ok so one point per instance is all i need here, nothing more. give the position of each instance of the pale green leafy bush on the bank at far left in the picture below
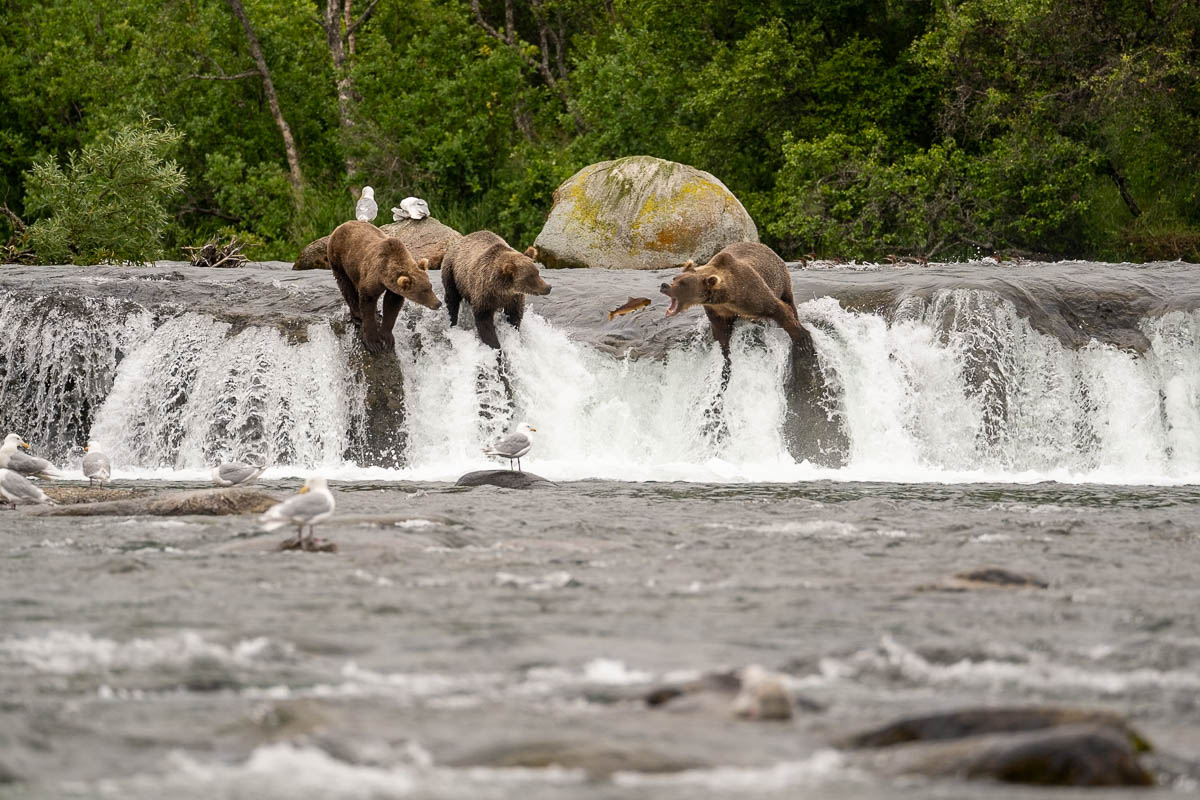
(110, 203)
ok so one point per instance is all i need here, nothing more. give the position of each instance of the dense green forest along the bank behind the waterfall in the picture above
(851, 129)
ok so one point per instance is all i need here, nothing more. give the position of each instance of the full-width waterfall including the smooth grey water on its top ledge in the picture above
(963, 372)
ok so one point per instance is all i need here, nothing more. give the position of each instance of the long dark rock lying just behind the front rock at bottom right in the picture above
(971, 723)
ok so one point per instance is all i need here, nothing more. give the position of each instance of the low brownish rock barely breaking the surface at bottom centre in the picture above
(598, 760)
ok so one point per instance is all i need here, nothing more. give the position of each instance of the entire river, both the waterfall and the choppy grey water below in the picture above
(1042, 419)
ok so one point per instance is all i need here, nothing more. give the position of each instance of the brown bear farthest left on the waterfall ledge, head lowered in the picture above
(367, 264)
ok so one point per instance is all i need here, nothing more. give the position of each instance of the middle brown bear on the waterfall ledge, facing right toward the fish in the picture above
(482, 269)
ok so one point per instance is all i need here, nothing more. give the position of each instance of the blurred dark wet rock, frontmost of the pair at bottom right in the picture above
(1083, 756)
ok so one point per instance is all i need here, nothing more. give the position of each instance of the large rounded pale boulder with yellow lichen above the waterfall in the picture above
(641, 213)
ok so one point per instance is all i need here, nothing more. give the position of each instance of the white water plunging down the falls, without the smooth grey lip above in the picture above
(945, 386)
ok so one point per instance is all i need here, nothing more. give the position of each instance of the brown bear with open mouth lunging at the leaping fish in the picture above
(746, 280)
